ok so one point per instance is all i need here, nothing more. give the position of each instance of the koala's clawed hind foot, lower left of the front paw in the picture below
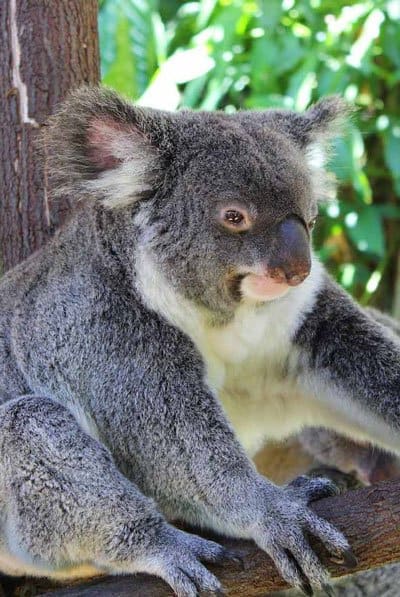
(176, 557)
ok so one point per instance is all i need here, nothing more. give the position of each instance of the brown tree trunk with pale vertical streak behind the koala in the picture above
(47, 48)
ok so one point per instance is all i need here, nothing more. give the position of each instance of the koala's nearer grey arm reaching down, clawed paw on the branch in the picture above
(173, 436)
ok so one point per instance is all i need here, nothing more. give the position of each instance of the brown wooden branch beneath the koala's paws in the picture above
(369, 517)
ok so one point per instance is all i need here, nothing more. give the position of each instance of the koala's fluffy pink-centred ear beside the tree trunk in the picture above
(99, 144)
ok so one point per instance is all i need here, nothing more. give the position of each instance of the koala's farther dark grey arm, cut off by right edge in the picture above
(351, 362)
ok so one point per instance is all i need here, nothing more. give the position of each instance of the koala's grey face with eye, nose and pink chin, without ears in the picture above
(235, 224)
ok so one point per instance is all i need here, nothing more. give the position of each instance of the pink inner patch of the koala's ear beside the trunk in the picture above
(107, 143)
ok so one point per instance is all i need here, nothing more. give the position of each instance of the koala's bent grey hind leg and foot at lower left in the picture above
(67, 511)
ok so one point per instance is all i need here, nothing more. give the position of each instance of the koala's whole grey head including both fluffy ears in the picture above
(223, 204)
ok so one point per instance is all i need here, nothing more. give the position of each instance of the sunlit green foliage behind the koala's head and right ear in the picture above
(231, 54)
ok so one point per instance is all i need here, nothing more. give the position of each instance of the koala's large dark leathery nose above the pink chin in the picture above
(291, 258)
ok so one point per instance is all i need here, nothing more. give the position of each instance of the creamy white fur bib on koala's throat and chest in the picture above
(248, 361)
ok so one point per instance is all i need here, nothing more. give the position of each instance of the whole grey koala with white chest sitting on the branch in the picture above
(176, 322)
